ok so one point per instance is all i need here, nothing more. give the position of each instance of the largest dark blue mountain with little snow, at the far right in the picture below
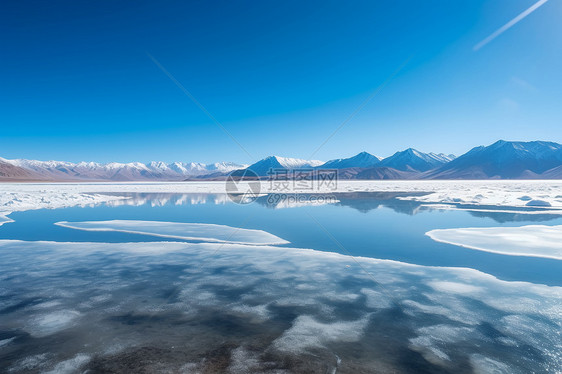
(503, 159)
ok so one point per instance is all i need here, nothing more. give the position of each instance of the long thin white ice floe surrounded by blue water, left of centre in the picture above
(178, 230)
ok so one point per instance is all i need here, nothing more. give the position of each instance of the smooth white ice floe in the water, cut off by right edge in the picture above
(531, 240)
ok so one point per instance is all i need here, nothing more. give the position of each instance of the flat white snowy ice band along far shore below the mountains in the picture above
(499, 193)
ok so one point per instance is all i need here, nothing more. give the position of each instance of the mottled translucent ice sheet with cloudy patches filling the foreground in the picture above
(282, 299)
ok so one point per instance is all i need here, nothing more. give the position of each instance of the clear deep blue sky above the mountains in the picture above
(77, 82)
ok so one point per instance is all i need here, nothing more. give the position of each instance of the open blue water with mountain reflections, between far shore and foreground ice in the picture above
(376, 225)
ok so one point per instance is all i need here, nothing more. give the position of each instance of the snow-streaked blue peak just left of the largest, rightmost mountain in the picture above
(414, 160)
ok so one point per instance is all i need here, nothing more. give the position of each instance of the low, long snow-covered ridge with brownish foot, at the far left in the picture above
(61, 170)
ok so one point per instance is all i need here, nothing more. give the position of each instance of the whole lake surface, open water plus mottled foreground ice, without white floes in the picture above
(123, 302)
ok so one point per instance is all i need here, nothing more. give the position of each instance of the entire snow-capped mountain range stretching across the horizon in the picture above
(501, 160)
